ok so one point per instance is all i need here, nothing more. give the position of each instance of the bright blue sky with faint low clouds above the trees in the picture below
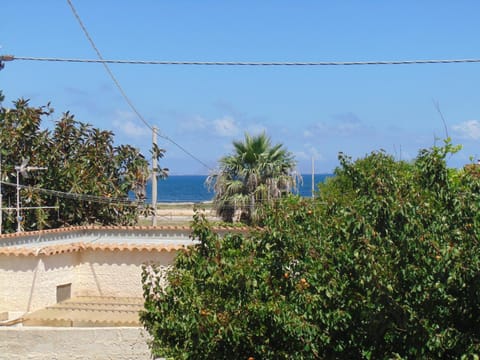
(315, 112)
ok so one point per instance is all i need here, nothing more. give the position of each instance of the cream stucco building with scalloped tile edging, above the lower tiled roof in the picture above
(42, 268)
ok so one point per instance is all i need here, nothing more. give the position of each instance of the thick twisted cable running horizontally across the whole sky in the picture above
(243, 63)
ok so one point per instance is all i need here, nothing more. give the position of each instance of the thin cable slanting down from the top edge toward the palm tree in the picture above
(117, 84)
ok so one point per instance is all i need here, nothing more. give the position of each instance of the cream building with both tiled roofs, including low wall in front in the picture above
(78, 290)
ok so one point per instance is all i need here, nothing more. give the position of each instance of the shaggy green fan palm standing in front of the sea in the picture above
(255, 172)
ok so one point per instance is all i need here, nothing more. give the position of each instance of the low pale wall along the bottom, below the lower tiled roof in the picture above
(73, 343)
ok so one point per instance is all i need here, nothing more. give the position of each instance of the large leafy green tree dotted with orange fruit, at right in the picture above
(384, 264)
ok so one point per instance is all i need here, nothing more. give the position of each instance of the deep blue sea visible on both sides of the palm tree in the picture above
(191, 188)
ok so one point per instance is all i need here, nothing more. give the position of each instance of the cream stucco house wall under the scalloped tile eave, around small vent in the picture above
(29, 283)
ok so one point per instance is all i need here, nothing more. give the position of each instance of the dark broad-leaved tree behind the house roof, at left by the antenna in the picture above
(79, 159)
